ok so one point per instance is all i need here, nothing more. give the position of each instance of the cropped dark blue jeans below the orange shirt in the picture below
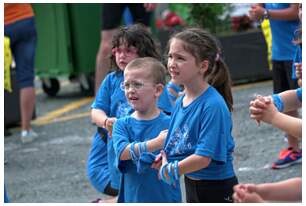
(23, 38)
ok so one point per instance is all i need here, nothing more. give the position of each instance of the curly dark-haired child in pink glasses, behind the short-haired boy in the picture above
(110, 103)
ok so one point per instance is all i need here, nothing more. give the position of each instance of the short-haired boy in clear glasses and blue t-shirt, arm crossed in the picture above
(139, 137)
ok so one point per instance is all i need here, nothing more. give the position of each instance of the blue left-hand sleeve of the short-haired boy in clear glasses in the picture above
(121, 141)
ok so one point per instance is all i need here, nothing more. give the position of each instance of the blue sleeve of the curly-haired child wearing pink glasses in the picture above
(103, 100)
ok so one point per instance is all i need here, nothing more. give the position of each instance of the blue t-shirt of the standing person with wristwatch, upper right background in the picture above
(282, 34)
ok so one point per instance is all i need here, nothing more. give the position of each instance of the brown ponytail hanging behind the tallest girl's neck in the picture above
(220, 79)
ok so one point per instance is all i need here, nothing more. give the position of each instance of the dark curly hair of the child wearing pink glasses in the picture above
(138, 36)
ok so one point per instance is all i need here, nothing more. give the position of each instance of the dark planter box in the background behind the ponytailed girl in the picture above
(245, 54)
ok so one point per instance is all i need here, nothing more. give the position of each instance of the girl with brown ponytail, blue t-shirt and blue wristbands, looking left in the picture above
(199, 143)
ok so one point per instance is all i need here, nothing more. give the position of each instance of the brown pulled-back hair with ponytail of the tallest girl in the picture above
(204, 46)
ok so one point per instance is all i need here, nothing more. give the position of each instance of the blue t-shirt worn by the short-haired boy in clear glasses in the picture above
(141, 187)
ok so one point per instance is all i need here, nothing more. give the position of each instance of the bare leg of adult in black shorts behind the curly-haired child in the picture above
(103, 58)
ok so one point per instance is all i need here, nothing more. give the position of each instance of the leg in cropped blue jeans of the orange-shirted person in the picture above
(23, 49)
